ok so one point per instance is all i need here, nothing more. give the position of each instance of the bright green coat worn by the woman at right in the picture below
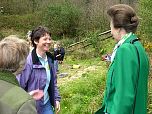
(126, 86)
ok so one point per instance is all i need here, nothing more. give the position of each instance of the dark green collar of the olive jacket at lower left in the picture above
(8, 77)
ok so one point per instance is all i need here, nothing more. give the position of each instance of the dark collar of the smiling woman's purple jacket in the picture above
(35, 58)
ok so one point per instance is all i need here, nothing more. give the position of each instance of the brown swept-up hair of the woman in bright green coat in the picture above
(123, 16)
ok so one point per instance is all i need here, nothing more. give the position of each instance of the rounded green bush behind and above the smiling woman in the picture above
(62, 19)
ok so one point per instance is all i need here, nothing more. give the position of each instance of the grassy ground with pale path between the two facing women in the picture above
(82, 89)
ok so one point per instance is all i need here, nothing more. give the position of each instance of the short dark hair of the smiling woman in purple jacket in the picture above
(37, 33)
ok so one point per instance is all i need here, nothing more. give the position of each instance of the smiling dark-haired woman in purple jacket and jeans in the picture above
(38, 77)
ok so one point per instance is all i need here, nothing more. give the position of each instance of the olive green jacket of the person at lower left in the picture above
(13, 99)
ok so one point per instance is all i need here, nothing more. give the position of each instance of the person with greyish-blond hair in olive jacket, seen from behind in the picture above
(13, 99)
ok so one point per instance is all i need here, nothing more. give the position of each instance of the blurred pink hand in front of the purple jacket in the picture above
(37, 94)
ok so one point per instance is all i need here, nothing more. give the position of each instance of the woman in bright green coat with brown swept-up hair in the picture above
(127, 78)
